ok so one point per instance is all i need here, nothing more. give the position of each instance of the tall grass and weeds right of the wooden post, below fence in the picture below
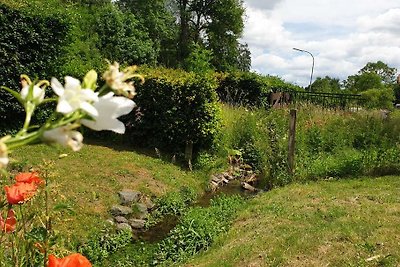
(344, 144)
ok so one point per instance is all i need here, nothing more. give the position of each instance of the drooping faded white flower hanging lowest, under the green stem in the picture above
(64, 136)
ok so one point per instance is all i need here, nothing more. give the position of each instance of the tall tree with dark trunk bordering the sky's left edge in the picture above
(216, 25)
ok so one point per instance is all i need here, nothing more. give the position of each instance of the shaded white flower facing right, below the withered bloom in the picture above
(110, 107)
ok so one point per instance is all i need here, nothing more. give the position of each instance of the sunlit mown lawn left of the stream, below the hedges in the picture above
(84, 184)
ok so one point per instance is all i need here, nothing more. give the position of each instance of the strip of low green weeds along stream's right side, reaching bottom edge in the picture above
(196, 231)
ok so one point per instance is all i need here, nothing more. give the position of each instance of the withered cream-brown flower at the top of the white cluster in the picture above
(118, 80)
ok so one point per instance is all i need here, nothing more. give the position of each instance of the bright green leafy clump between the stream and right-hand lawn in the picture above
(197, 230)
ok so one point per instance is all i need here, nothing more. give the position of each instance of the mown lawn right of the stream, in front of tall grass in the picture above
(335, 223)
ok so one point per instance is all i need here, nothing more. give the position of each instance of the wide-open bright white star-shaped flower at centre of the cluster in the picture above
(72, 97)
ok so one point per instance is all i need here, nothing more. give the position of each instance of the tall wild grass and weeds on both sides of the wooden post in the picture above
(329, 143)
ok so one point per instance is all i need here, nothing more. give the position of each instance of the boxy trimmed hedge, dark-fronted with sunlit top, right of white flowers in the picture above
(175, 107)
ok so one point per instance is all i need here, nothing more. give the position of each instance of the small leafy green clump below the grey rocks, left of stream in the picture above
(104, 243)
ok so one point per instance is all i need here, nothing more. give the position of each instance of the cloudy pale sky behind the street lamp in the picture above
(342, 35)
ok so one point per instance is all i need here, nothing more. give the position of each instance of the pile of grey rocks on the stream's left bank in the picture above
(132, 212)
